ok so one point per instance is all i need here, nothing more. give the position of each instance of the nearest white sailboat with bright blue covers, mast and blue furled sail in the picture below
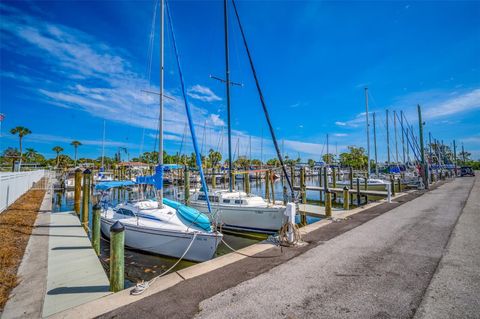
(160, 225)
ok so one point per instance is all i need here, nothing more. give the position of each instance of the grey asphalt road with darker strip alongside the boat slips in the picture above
(379, 263)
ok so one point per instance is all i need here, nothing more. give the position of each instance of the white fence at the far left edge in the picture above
(14, 185)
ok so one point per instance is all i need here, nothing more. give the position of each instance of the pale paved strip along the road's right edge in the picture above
(454, 291)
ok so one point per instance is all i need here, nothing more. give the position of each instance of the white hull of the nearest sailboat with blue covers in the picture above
(167, 243)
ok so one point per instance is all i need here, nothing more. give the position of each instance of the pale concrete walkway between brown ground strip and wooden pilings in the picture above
(59, 269)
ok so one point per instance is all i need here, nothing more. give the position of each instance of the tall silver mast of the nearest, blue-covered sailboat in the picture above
(160, 116)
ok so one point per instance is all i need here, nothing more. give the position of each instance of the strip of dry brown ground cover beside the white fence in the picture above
(16, 225)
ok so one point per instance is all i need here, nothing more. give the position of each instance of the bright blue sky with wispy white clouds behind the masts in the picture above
(66, 67)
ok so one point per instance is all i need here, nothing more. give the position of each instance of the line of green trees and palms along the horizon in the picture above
(355, 157)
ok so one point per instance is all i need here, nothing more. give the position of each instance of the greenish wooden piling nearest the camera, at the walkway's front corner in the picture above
(117, 260)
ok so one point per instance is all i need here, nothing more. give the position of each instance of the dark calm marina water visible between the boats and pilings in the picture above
(143, 266)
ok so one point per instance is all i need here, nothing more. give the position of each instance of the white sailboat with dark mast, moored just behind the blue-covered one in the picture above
(237, 210)
